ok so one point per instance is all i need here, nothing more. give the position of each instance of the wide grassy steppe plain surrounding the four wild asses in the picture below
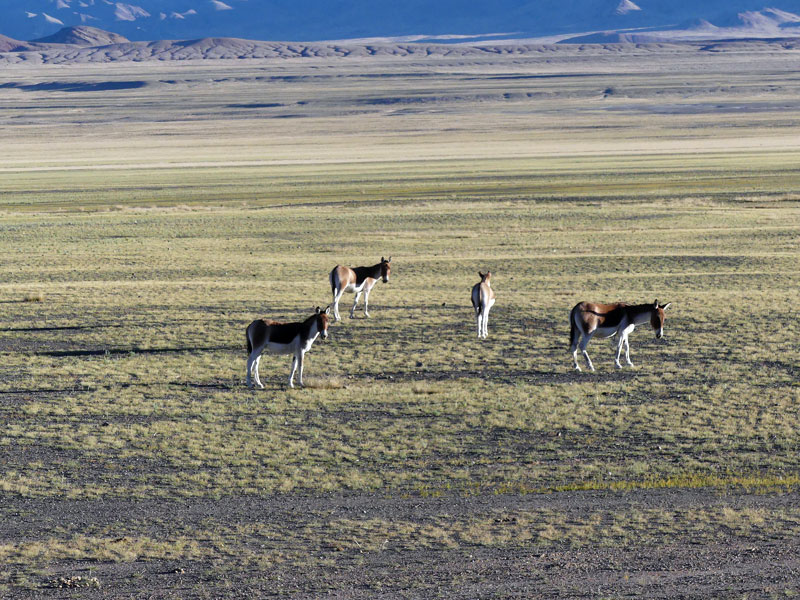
(150, 210)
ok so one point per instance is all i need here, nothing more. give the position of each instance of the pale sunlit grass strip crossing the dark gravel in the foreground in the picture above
(313, 538)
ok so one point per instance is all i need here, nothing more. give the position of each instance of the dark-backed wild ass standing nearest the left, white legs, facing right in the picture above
(284, 338)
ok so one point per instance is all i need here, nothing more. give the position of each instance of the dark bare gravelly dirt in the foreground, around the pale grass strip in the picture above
(680, 565)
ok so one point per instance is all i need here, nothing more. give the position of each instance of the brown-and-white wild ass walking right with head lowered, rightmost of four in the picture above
(588, 319)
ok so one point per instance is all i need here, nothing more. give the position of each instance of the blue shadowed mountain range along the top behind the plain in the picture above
(446, 21)
